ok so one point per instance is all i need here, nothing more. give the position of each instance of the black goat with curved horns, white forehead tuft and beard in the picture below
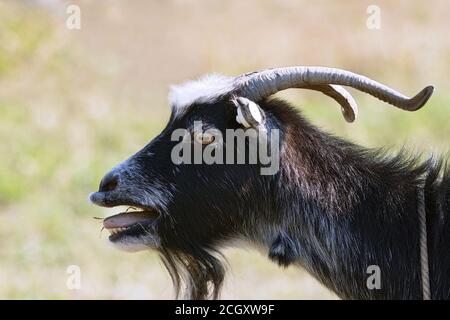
(333, 208)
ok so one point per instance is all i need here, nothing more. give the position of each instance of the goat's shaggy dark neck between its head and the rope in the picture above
(340, 211)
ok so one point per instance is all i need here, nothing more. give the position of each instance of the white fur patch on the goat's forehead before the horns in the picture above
(206, 89)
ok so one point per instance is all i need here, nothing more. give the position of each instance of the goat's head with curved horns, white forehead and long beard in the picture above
(187, 211)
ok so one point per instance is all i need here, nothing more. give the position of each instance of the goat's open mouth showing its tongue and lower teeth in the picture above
(130, 222)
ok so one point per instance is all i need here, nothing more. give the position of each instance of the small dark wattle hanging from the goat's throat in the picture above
(284, 250)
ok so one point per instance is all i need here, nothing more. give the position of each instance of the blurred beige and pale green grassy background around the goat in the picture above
(73, 103)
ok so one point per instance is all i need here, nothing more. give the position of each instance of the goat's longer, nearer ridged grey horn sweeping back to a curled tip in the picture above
(261, 84)
